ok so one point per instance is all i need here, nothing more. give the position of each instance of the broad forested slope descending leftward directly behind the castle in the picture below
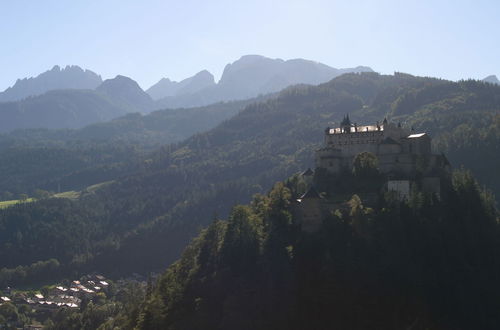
(146, 216)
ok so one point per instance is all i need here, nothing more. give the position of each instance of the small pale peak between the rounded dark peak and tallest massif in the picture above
(165, 87)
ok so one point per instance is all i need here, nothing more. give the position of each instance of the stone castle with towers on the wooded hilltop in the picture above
(404, 158)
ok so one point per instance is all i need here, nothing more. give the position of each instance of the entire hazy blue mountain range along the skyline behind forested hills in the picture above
(73, 97)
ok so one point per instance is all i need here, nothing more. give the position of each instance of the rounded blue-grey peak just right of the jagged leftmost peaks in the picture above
(127, 94)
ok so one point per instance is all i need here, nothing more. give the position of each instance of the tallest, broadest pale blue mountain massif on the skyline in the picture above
(252, 75)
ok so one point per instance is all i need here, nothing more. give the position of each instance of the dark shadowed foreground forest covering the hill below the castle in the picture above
(425, 263)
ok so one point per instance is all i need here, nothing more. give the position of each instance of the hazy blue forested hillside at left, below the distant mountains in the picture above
(71, 159)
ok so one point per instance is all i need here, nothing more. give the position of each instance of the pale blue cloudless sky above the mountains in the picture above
(147, 39)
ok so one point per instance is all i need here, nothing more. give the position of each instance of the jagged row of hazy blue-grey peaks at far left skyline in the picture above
(71, 77)
